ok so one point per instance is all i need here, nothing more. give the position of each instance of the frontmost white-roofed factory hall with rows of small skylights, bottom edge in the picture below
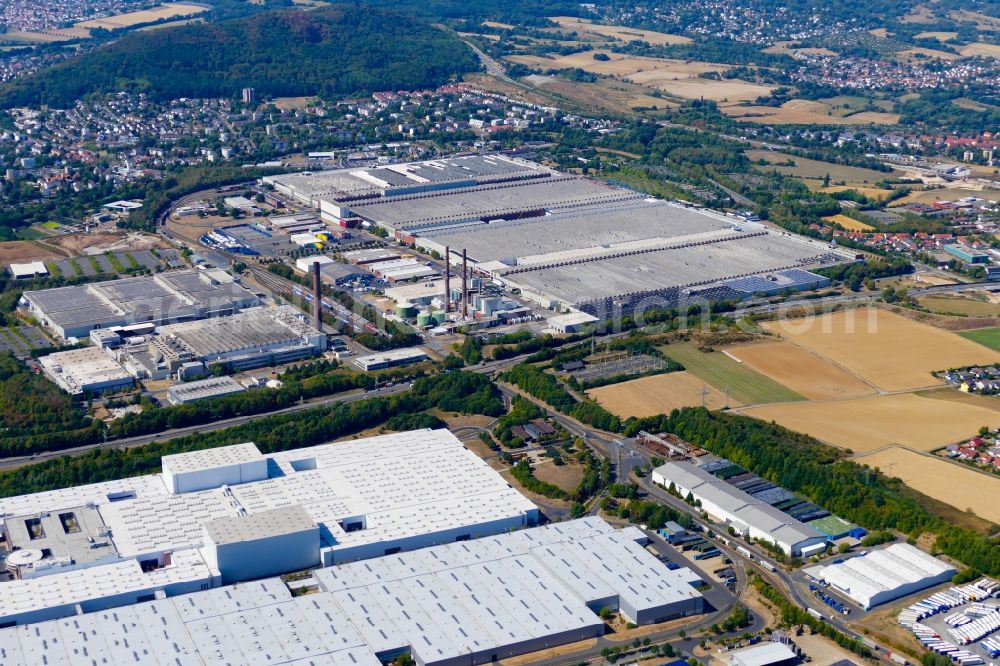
(466, 602)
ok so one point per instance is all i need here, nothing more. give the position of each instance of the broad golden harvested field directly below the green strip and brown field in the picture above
(871, 423)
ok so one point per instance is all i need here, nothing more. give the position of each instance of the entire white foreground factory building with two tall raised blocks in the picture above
(113, 543)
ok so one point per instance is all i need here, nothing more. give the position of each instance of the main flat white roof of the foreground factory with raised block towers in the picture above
(404, 485)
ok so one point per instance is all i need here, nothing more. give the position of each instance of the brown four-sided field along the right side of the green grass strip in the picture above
(802, 371)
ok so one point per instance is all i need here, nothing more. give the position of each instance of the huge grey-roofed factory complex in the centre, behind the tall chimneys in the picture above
(565, 241)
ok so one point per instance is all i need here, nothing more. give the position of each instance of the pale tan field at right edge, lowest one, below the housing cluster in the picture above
(951, 483)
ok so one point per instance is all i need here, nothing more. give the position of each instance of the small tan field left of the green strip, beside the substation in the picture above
(659, 394)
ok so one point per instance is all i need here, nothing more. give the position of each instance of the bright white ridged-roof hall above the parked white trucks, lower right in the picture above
(885, 574)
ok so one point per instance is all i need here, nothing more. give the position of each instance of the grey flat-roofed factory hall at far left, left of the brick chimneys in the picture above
(73, 312)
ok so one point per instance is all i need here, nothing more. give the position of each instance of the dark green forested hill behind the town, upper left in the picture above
(330, 51)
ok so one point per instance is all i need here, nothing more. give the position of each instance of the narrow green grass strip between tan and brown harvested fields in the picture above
(745, 385)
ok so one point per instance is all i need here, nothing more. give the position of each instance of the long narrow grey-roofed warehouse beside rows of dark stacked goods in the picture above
(744, 513)
